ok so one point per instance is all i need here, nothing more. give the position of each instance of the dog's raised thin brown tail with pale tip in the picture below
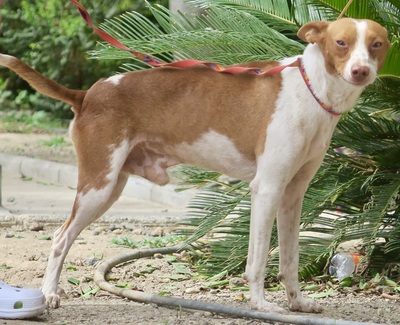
(42, 84)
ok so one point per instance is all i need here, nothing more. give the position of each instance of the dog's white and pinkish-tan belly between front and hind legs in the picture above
(151, 158)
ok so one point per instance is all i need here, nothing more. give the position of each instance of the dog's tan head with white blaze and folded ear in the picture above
(353, 49)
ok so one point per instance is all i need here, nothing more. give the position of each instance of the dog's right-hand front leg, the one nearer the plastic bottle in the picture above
(288, 221)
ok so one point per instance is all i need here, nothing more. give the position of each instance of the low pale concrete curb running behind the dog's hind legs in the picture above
(58, 173)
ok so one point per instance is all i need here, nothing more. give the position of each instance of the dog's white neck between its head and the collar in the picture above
(332, 90)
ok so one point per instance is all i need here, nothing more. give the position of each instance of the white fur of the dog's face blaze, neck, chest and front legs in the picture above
(297, 139)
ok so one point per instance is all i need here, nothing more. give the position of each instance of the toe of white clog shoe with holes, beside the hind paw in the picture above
(18, 303)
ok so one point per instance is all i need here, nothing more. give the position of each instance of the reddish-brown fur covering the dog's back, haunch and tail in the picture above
(163, 108)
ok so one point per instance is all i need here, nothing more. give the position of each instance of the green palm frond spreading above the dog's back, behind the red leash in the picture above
(225, 36)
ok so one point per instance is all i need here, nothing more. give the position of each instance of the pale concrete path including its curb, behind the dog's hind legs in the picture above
(45, 190)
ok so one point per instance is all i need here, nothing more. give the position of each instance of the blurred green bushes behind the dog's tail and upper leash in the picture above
(52, 37)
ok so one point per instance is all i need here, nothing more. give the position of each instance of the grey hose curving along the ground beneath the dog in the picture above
(139, 296)
